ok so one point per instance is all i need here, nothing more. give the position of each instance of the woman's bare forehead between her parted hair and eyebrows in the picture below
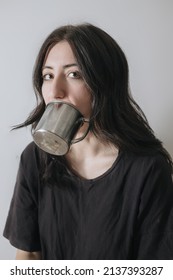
(61, 52)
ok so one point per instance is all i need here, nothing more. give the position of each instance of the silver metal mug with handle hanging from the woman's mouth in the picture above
(57, 128)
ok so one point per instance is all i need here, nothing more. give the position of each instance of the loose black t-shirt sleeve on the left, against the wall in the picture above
(21, 227)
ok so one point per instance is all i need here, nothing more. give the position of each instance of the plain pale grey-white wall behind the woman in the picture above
(143, 28)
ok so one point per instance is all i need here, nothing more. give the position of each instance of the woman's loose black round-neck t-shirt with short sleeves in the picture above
(126, 213)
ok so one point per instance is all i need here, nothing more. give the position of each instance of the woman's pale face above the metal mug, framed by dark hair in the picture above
(63, 81)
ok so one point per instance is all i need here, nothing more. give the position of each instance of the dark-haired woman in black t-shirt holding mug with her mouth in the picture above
(111, 195)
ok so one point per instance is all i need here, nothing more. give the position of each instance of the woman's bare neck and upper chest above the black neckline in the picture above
(90, 157)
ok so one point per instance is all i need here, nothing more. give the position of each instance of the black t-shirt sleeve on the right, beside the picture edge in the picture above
(154, 238)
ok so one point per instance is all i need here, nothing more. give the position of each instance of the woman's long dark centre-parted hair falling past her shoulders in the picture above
(116, 117)
